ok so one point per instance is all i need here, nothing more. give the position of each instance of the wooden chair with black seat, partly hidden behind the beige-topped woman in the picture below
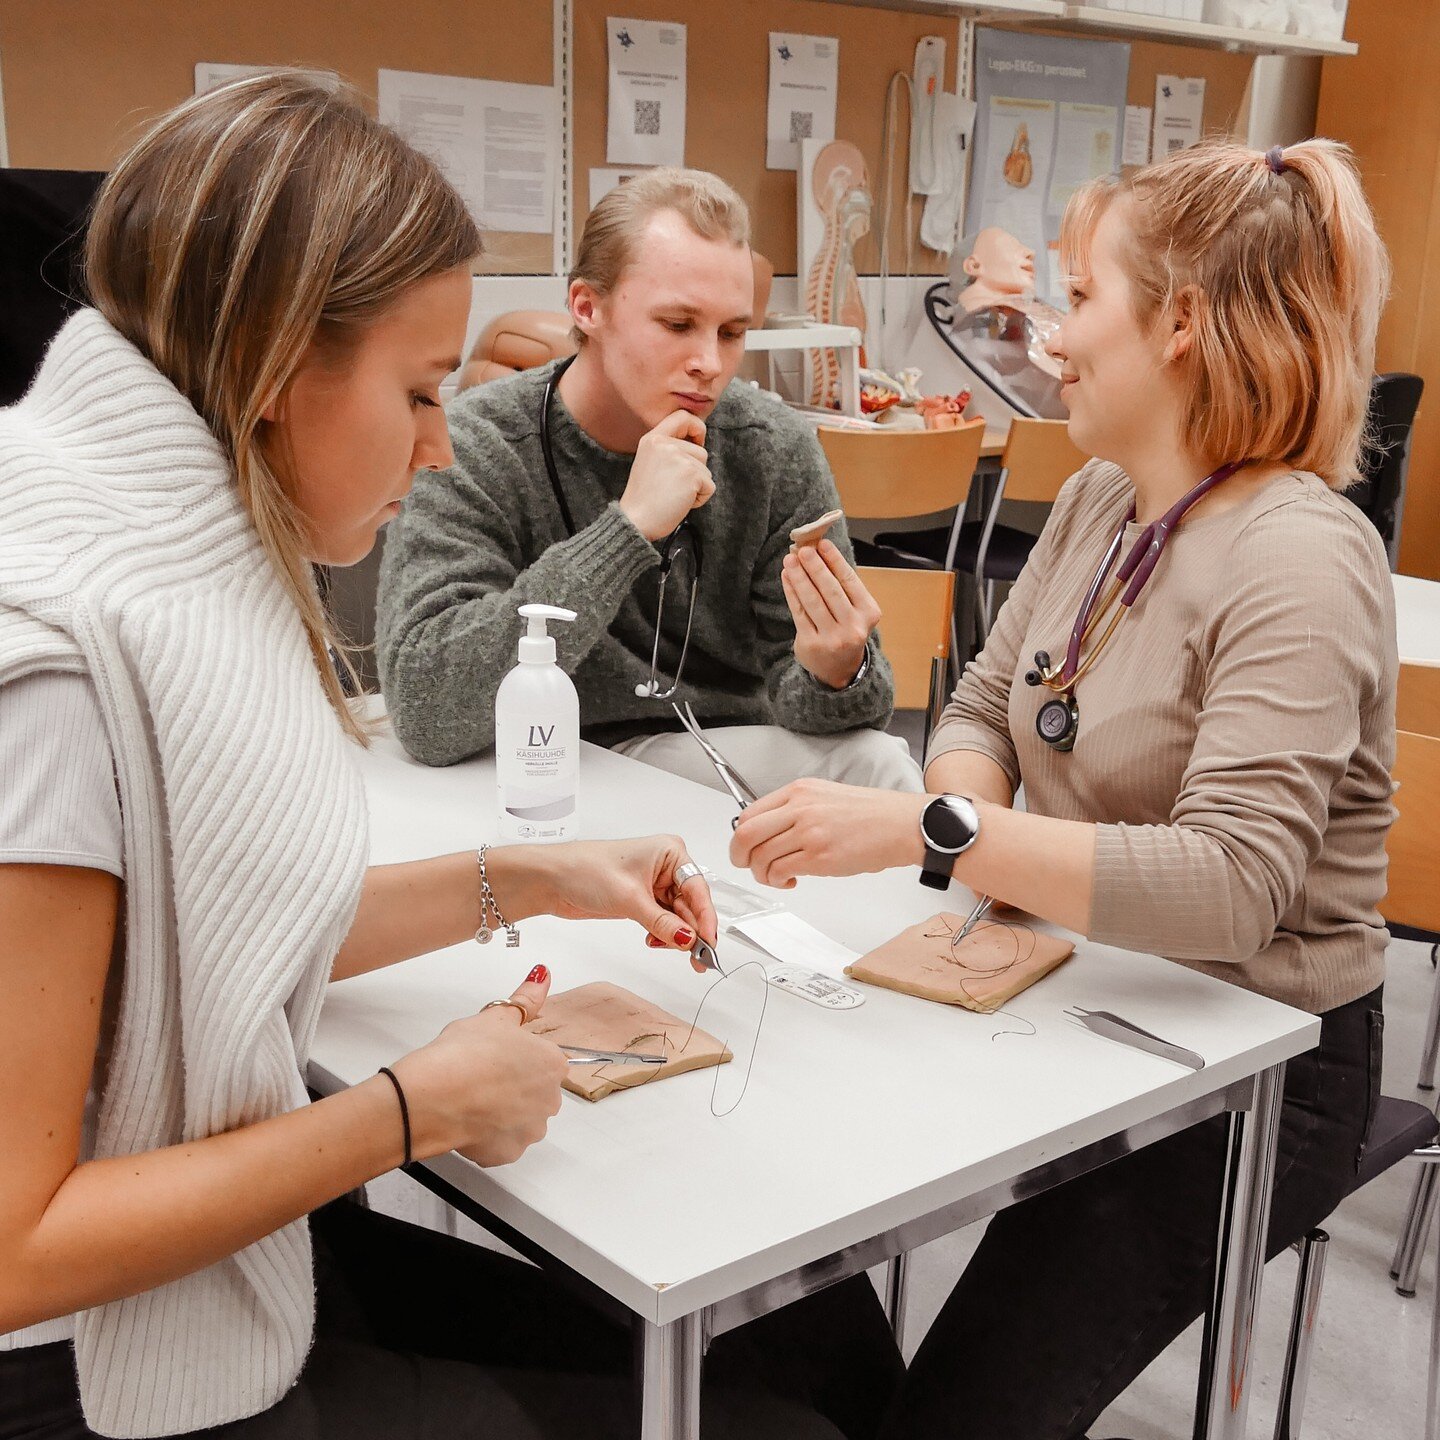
(1039, 459)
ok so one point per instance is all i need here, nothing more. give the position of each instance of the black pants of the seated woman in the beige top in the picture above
(1074, 1294)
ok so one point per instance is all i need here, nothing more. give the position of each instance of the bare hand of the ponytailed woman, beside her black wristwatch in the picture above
(823, 829)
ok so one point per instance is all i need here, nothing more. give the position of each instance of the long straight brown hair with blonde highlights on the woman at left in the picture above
(244, 227)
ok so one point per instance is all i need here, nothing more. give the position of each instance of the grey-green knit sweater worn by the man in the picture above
(477, 541)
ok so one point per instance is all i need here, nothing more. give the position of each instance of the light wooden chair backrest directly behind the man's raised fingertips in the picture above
(896, 474)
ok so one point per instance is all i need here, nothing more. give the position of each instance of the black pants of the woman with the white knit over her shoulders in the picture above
(421, 1336)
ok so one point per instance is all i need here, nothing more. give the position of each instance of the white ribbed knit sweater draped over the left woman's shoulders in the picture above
(126, 554)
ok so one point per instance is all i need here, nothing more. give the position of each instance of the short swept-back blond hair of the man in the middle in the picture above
(703, 201)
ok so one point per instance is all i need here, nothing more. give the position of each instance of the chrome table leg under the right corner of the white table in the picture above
(1245, 1219)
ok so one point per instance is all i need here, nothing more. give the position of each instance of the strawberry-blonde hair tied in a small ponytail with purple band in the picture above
(1287, 274)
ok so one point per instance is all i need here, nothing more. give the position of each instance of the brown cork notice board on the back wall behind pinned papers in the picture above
(77, 90)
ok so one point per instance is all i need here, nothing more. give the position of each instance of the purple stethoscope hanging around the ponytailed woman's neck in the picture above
(1059, 719)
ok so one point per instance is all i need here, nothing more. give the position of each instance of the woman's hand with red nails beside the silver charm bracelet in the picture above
(633, 881)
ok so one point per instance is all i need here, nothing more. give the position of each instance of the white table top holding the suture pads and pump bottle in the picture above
(853, 1124)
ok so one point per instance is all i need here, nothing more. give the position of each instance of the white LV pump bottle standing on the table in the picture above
(538, 739)
